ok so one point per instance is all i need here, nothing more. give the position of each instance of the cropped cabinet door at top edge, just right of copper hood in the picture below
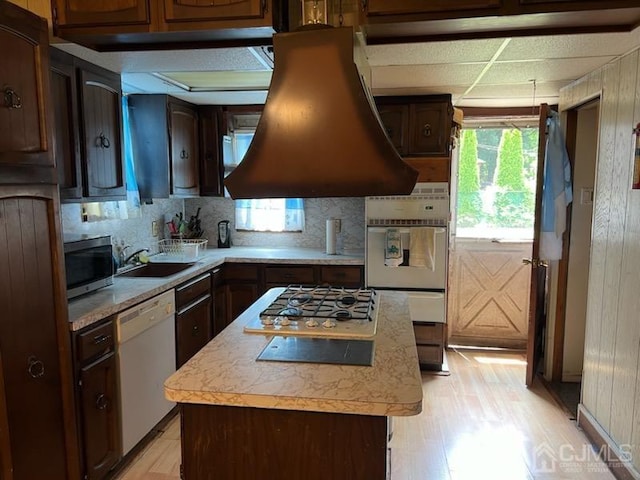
(391, 7)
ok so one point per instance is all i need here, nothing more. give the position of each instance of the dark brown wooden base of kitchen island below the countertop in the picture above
(247, 443)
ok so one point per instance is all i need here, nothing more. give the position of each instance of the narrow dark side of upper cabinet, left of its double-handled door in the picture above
(66, 144)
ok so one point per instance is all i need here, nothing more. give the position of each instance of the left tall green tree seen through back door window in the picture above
(469, 208)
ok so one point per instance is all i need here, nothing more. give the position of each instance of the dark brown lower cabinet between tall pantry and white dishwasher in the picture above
(97, 393)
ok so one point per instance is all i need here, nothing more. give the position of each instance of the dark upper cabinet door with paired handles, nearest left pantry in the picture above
(102, 139)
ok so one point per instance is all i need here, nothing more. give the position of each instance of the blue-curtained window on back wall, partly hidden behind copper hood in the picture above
(263, 215)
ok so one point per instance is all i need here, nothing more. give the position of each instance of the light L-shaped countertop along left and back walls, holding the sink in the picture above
(127, 292)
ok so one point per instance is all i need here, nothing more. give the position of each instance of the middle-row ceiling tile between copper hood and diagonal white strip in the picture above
(424, 75)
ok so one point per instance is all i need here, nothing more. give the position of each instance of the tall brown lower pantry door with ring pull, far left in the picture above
(33, 308)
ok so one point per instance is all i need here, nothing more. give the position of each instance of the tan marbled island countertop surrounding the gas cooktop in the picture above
(225, 371)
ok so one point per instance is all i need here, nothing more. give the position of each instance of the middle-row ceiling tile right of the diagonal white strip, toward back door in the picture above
(503, 73)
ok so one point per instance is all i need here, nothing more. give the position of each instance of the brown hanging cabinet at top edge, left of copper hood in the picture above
(125, 24)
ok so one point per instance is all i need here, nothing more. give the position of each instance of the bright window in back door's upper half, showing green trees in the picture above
(497, 168)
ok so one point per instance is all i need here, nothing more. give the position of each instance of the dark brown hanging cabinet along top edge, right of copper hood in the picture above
(402, 21)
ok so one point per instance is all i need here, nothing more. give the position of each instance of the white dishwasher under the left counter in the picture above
(146, 358)
